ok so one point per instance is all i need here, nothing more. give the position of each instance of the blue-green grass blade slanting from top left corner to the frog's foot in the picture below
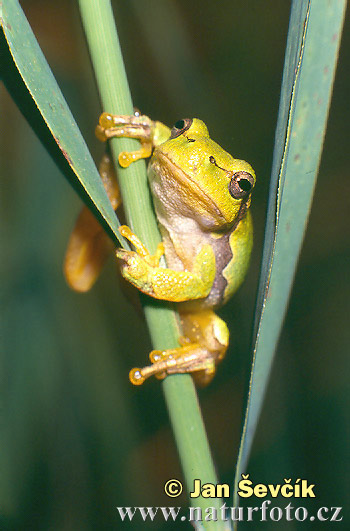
(36, 76)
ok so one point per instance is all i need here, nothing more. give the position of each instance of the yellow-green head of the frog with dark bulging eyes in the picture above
(201, 179)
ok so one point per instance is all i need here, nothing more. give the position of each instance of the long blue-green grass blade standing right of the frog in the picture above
(310, 62)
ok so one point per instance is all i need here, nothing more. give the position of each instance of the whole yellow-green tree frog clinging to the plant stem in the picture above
(201, 196)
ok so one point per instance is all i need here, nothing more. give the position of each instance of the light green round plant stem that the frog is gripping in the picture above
(180, 394)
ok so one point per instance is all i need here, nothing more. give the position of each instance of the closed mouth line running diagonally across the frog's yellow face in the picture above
(196, 191)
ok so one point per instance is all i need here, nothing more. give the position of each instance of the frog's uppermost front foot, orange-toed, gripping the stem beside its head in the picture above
(134, 126)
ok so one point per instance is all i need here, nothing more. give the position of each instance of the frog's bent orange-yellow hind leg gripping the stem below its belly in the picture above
(204, 344)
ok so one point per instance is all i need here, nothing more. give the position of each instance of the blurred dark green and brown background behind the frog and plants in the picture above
(77, 439)
